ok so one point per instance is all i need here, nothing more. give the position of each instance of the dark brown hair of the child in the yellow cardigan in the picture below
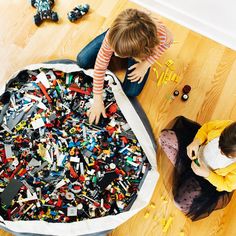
(227, 142)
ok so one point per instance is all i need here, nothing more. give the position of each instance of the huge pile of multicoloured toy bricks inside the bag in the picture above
(54, 165)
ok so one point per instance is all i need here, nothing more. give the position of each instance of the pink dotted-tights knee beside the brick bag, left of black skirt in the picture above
(169, 144)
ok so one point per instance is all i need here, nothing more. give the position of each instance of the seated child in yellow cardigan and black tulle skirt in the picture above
(204, 161)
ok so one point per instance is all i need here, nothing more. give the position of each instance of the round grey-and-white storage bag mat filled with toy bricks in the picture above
(59, 175)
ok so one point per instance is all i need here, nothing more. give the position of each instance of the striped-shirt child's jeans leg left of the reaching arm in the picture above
(87, 56)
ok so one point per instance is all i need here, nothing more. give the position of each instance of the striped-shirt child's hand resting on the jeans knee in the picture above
(139, 71)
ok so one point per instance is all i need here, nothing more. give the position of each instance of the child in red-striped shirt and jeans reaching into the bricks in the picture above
(133, 35)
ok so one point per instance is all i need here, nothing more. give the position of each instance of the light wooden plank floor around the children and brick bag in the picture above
(208, 67)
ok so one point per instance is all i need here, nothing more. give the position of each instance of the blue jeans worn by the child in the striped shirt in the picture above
(87, 57)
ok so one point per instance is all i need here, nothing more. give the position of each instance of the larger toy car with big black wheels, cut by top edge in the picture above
(44, 11)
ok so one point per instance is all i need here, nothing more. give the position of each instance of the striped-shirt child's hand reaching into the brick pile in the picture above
(96, 110)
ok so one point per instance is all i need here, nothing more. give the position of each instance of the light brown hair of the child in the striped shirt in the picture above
(133, 34)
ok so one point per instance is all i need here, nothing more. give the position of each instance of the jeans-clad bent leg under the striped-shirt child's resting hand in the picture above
(133, 89)
